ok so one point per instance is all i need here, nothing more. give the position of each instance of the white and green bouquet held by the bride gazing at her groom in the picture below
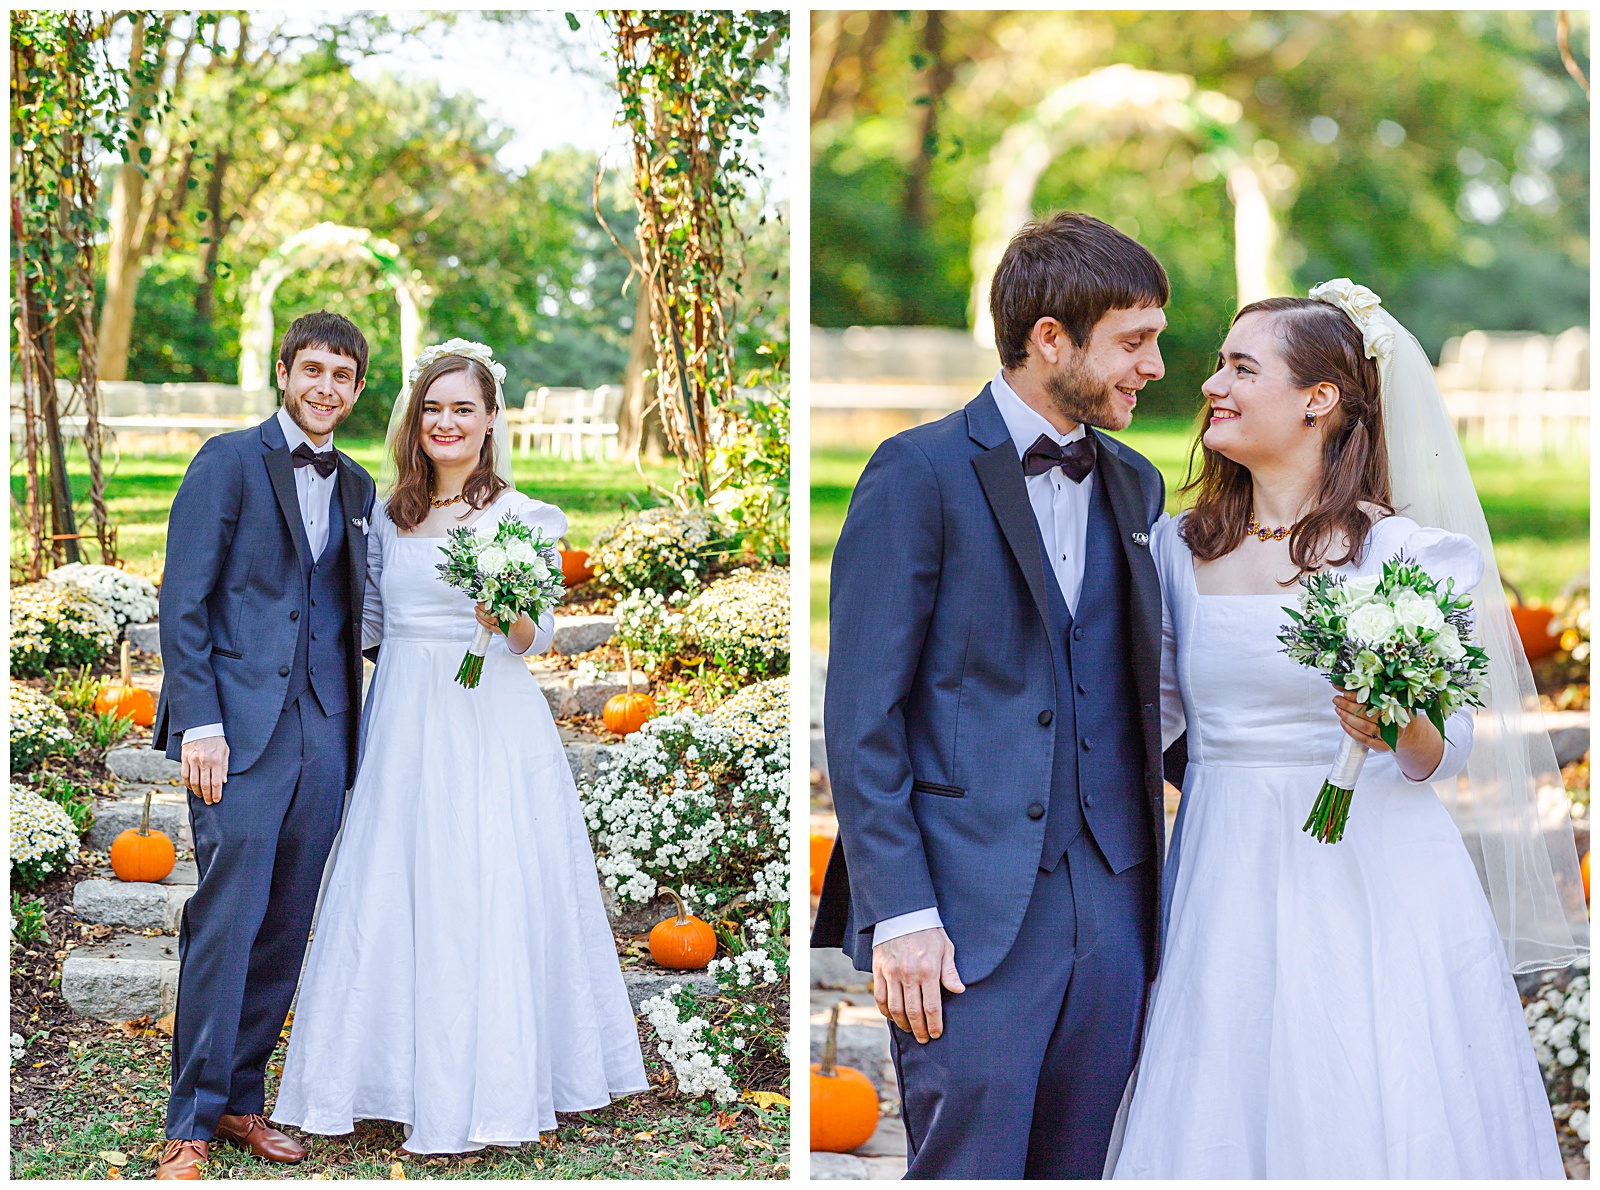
(1401, 644)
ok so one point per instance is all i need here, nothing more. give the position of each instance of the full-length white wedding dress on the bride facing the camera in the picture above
(463, 978)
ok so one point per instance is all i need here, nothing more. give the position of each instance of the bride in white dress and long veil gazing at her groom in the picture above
(1342, 1010)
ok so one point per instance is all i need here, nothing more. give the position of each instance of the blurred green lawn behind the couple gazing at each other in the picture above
(1537, 508)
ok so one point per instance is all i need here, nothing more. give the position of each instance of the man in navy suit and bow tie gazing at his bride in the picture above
(994, 725)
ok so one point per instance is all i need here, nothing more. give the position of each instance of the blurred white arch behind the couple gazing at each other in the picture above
(1119, 102)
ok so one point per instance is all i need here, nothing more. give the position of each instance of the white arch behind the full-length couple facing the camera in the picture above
(314, 249)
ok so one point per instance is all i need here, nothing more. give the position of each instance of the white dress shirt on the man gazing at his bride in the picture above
(1063, 513)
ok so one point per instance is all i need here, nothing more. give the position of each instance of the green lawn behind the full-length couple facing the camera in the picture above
(140, 493)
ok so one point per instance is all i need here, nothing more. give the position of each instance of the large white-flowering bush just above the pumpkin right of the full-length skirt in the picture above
(698, 805)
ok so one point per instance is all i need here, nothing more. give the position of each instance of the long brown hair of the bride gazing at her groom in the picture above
(1321, 346)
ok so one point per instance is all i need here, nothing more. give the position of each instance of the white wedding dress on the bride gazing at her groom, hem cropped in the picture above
(1322, 1010)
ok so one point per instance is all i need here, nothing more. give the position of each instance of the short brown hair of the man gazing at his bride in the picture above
(1071, 268)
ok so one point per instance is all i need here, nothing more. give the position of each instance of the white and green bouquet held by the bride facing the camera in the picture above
(516, 570)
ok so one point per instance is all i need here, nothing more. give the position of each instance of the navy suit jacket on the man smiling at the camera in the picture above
(234, 591)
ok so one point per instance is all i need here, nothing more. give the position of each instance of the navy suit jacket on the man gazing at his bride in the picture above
(940, 669)
